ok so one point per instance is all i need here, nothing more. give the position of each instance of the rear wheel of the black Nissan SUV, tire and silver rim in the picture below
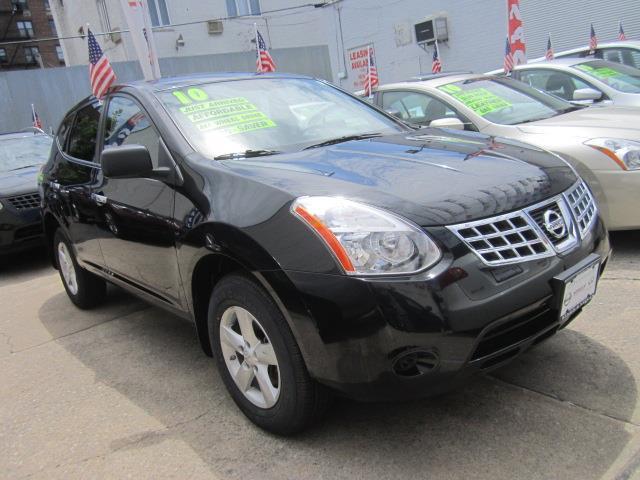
(85, 289)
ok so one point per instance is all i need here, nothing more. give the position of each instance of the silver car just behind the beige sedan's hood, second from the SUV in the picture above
(584, 80)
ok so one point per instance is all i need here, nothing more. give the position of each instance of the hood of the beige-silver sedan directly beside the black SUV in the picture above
(591, 122)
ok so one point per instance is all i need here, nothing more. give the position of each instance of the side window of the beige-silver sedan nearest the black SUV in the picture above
(418, 108)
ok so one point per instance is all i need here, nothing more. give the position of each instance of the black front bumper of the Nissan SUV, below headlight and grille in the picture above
(461, 317)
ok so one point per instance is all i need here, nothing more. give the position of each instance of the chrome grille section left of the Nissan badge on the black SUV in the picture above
(505, 239)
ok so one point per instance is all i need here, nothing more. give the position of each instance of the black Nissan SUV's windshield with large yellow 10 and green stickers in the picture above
(269, 115)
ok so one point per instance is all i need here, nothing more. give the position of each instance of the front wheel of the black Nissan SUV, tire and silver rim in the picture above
(292, 400)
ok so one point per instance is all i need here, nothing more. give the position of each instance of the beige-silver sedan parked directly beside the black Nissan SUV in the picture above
(602, 143)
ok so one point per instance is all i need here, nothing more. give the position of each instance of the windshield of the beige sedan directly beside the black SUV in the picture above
(505, 101)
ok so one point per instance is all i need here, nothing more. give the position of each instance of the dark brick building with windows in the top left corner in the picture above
(26, 21)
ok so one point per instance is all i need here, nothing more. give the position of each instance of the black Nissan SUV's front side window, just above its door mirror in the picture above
(128, 124)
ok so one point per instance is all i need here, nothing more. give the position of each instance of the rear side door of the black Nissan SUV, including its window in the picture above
(73, 176)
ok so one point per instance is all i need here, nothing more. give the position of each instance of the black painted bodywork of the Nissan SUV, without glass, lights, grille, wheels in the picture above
(170, 240)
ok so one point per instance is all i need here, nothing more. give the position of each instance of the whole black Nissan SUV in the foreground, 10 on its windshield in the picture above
(318, 244)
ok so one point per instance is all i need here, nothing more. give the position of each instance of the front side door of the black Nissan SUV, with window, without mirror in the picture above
(138, 231)
